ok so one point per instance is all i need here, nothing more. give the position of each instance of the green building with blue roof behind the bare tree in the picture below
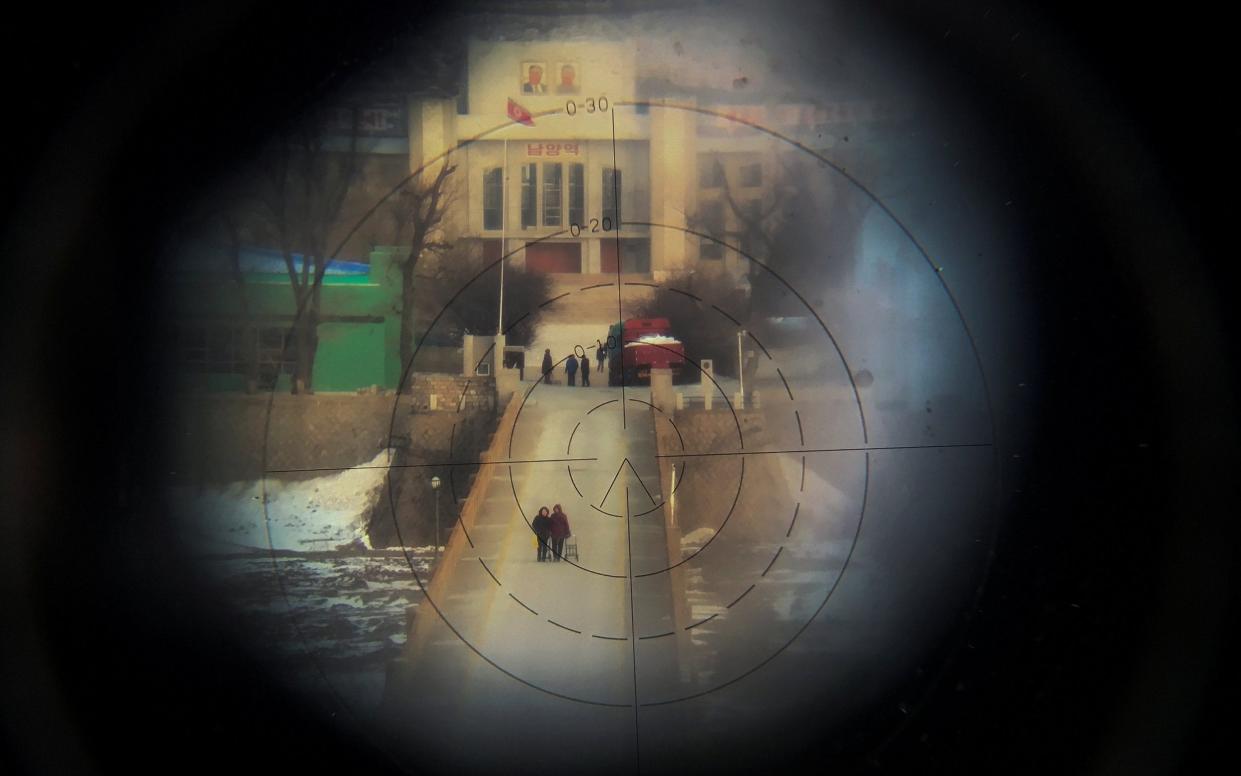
(219, 341)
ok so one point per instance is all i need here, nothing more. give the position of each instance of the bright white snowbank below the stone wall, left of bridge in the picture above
(325, 513)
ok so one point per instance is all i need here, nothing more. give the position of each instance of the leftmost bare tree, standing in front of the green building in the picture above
(303, 187)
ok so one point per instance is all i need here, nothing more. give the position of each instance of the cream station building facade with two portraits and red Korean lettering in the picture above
(620, 165)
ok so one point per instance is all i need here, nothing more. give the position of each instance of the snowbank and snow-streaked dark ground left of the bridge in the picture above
(327, 607)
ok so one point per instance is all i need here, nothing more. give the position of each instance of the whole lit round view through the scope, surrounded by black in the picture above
(607, 394)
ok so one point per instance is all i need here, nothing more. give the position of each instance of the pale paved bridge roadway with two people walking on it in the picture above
(568, 629)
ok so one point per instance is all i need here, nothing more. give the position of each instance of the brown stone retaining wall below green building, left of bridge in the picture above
(235, 438)
